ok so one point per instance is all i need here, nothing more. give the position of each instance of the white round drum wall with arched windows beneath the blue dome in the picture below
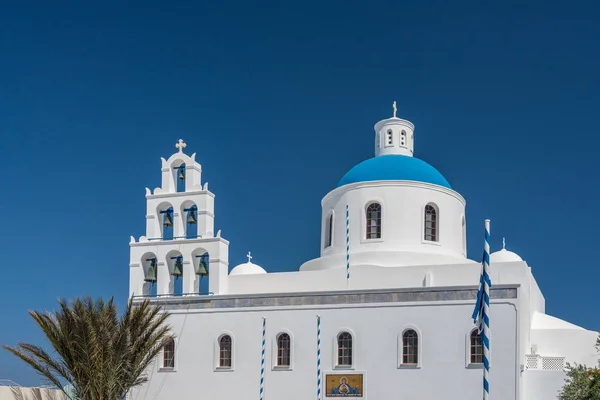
(402, 227)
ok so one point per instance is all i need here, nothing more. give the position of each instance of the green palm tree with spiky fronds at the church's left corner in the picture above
(96, 352)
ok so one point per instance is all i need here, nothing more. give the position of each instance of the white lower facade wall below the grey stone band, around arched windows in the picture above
(443, 327)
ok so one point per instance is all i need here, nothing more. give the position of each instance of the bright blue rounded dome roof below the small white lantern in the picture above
(394, 168)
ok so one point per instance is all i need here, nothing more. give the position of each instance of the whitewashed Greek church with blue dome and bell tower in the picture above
(383, 313)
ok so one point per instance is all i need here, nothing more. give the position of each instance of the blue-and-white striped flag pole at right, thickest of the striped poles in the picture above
(481, 315)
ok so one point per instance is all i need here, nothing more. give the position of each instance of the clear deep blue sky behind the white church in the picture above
(279, 101)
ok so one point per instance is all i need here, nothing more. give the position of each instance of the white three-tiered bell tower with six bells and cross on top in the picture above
(180, 247)
